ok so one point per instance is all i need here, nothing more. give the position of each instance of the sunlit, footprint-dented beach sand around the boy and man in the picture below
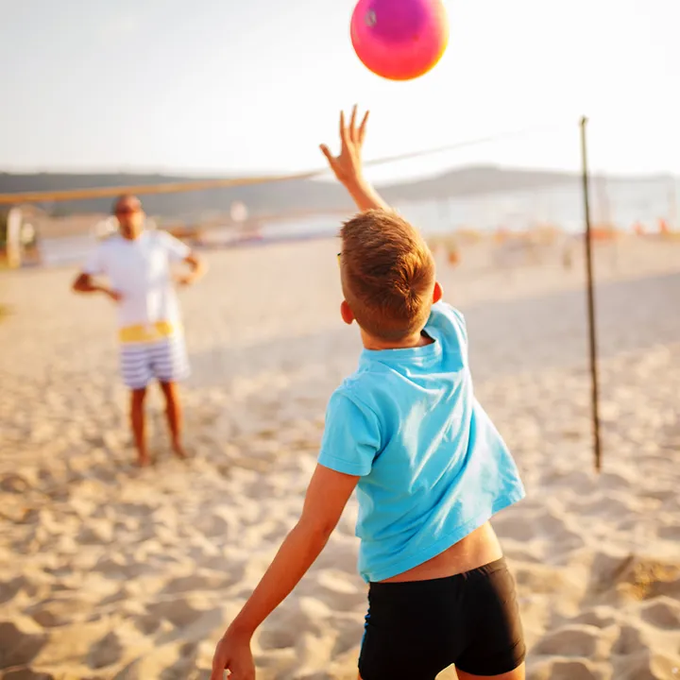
(107, 571)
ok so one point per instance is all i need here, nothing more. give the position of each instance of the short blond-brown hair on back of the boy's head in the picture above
(388, 274)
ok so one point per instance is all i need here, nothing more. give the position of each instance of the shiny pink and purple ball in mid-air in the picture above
(399, 39)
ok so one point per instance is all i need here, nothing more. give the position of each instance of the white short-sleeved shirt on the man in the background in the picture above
(139, 269)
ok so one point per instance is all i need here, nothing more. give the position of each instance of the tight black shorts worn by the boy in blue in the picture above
(417, 629)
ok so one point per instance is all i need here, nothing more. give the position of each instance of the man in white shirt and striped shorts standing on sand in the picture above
(137, 263)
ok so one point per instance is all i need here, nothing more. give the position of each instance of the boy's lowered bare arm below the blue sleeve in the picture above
(326, 498)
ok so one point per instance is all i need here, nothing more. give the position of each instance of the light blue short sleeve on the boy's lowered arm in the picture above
(351, 438)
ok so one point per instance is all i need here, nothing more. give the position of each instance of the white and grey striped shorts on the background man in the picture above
(163, 360)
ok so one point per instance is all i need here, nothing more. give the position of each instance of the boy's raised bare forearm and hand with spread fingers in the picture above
(347, 167)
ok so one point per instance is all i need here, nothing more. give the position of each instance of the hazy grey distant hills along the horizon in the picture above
(276, 198)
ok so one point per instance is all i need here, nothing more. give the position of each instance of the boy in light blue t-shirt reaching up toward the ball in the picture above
(429, 467)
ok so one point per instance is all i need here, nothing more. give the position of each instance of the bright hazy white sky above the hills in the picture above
(246, 86)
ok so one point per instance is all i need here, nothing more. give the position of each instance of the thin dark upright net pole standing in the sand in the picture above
(592, 335)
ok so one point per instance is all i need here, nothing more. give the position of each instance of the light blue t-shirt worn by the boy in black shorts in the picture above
(433, 467)
